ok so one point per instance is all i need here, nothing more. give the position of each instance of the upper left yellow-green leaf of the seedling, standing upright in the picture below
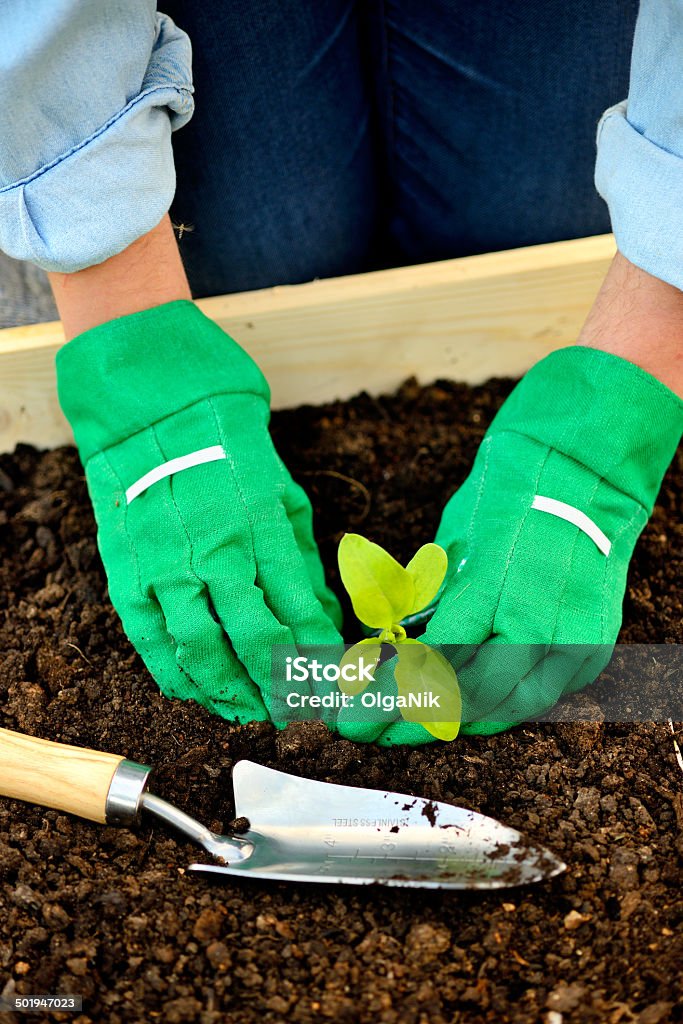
(382, 592)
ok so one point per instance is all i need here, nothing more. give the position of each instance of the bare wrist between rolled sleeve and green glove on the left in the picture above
(148, 274)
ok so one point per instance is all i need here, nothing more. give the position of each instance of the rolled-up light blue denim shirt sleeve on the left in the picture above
(90, 96)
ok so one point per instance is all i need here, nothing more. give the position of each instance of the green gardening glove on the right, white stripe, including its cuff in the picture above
(541, 534)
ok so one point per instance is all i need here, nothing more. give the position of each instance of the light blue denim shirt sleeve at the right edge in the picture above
(639, 168)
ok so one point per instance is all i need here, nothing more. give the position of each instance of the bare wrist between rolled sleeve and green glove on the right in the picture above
(641, 319)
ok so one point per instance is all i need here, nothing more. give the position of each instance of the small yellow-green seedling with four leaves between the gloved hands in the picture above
(383, 594)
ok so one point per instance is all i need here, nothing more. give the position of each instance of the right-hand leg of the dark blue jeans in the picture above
(490, 113)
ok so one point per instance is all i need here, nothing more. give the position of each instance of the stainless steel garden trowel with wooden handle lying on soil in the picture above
(297, 830)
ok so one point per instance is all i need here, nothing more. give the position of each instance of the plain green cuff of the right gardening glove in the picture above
(603, 411)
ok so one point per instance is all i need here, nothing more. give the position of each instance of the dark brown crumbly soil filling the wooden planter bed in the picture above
(112, 915)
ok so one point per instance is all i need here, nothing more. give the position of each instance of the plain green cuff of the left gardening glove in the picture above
(123, 376)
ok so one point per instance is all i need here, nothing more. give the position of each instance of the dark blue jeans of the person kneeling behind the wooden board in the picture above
(335, 137)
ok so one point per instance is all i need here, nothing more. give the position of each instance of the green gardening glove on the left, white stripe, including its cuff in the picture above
(206, 539)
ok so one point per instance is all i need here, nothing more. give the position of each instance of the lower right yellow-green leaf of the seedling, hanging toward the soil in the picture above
(421, 670)
